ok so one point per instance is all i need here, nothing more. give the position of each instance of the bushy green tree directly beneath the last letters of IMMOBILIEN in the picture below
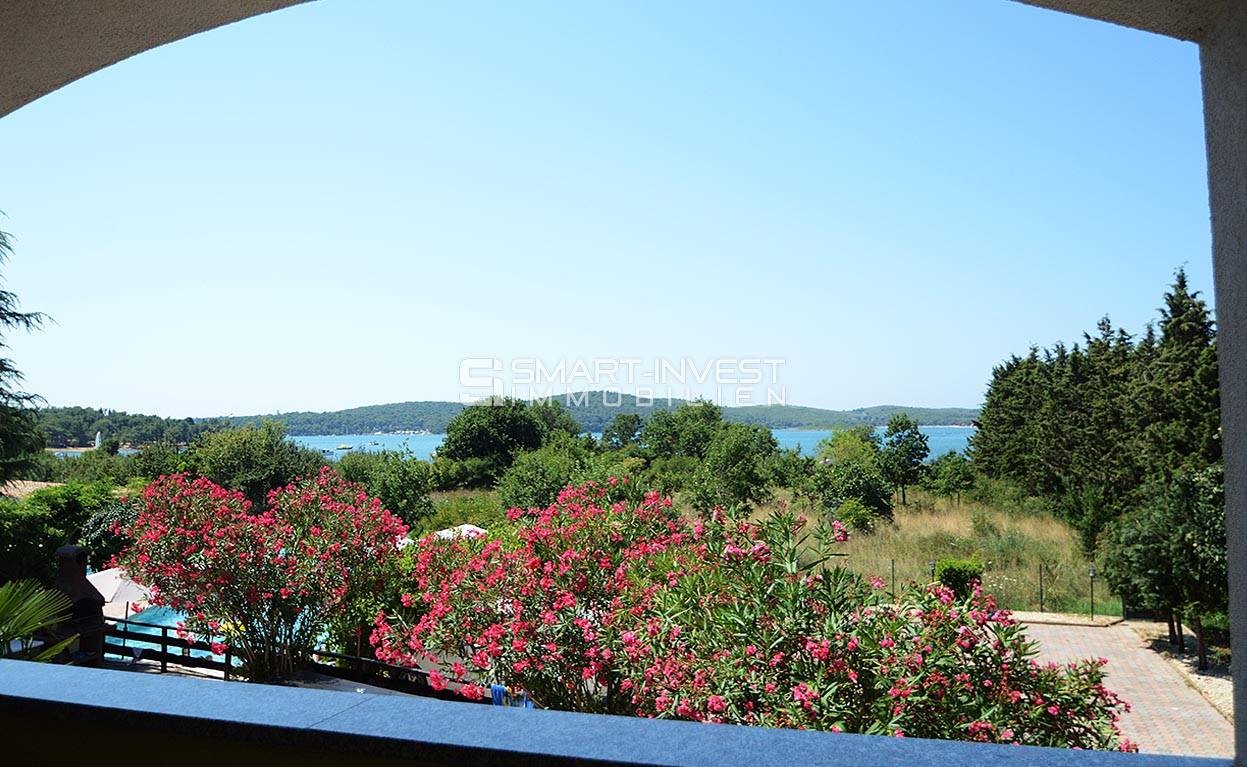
(738, 468)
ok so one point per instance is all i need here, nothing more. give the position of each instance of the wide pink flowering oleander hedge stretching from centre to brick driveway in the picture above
(633, 609)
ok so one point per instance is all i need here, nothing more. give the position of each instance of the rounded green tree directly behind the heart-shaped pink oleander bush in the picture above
(253, 460)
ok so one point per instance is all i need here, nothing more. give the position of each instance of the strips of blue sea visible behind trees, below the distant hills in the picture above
(597, 410)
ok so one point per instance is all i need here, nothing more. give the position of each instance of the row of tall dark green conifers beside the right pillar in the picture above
(1089, 428)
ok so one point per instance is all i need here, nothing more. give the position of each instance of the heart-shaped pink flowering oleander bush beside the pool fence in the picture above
(272, 581)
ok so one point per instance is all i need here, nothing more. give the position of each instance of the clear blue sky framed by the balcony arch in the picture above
(334, 205)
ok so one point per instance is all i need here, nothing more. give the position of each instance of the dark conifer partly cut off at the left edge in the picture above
(21, 438)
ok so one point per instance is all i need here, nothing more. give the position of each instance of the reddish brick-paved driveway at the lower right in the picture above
(1169, 716)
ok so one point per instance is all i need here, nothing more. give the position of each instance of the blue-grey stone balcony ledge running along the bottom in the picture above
(59, 714)
